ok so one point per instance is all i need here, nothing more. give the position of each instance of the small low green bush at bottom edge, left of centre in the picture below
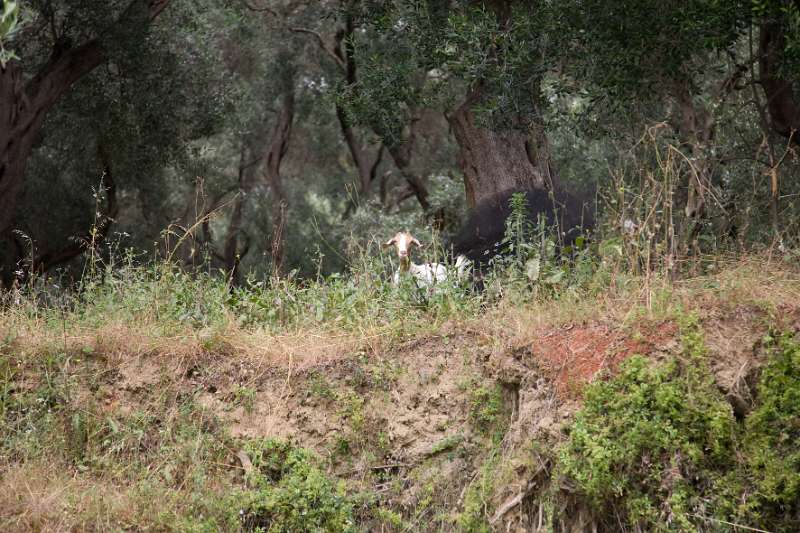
(289, 493)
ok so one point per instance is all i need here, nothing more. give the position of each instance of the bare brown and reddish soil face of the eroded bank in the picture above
(398, 422)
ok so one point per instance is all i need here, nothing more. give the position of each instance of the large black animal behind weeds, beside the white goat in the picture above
(480, 237)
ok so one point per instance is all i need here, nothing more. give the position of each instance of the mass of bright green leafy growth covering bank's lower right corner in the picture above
(658, 448)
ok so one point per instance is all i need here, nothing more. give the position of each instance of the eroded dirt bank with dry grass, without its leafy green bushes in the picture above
(452, 428)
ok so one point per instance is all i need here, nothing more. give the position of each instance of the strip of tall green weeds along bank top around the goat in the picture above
(169, 298)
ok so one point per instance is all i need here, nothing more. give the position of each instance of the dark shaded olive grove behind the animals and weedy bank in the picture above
(261, 137)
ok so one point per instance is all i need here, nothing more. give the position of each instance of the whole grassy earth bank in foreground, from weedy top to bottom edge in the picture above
(155, 400)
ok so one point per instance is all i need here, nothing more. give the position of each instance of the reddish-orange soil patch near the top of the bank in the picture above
(574, 356)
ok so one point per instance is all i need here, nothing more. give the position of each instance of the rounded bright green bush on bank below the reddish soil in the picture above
(649, 444)
